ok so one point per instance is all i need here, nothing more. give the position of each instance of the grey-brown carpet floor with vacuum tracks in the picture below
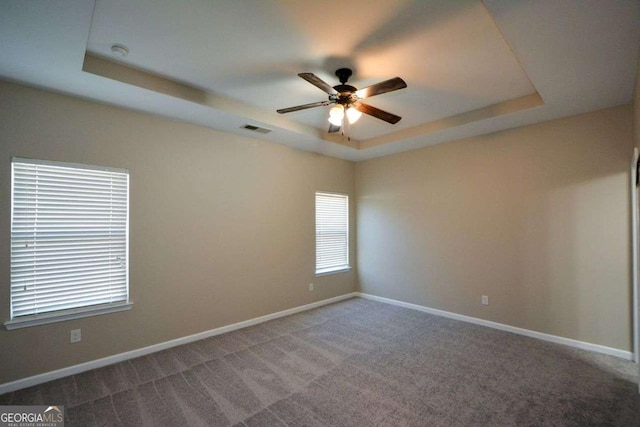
(353, 363)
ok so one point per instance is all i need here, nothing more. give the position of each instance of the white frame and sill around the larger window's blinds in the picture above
(60, 315)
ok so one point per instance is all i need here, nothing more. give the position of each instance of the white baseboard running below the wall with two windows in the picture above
(109, 360)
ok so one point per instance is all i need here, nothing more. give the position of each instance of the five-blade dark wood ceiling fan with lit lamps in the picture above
(348, 99)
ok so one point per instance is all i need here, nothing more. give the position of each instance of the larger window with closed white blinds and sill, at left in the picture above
(69, 241)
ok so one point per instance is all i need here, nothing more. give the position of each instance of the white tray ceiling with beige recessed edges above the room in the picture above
(472, 67)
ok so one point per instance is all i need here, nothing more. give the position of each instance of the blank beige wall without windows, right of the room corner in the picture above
(537, 218)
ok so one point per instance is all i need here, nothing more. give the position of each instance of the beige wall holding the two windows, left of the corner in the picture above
(222, 227)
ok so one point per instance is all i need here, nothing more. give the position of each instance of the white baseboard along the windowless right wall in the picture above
(623, 354)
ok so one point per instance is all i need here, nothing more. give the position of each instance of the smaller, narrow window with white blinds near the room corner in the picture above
(332, 233)
